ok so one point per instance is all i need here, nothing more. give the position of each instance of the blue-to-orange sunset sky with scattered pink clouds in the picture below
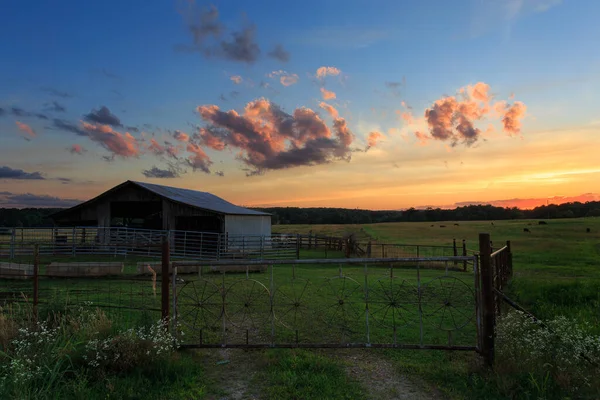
(358, 104)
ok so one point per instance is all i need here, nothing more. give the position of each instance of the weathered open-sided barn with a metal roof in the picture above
(143, 205)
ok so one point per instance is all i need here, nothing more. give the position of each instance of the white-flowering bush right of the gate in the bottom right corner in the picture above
(561, 357)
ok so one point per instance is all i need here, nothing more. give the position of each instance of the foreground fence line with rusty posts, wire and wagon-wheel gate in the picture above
(392, 302)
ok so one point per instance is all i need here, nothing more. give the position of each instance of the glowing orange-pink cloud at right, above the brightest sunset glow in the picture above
(452, 118)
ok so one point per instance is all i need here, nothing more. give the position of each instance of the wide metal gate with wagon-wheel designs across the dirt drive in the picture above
(418, 303)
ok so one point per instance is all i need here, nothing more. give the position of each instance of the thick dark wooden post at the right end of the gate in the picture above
(488, 297)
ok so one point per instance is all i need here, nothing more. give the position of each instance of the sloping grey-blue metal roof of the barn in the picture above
(194, 198)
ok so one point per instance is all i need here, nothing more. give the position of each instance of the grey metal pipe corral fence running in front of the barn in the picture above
(117, 241)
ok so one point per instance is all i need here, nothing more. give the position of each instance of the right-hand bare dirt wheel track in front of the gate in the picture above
(380, 379)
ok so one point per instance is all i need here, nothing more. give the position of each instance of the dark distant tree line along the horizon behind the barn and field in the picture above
(40, 217)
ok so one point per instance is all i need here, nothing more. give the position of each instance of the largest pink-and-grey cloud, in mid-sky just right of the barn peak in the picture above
(269, 138)
